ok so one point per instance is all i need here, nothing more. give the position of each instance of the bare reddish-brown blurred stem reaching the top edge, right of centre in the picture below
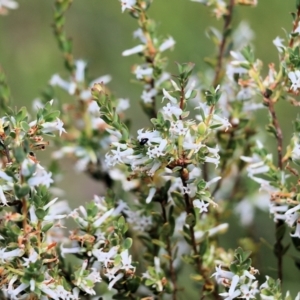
(228, 19)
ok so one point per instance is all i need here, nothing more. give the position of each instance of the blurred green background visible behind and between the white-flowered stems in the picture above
(29, 56)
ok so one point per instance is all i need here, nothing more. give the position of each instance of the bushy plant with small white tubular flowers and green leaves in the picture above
(155, 231)
